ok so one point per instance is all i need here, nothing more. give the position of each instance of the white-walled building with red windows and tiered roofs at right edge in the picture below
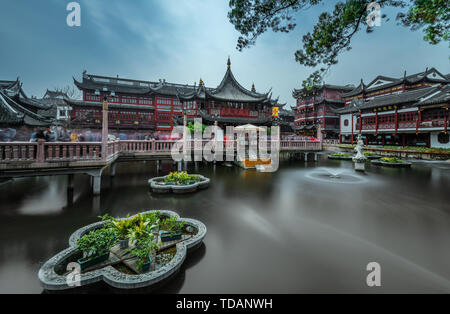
(411, 110)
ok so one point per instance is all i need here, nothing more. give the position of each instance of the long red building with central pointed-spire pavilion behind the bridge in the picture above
(142, 106)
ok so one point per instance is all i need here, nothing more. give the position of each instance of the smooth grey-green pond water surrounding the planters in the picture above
(304, 229)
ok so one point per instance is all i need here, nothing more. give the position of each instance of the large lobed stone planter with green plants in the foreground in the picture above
(148, 261)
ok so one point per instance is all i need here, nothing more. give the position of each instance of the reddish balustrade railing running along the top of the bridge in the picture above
(42, 152)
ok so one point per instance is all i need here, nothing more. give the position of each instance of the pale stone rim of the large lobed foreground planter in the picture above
(50, 280)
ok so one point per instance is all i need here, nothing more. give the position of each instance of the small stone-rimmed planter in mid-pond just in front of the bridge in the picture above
(178, 183)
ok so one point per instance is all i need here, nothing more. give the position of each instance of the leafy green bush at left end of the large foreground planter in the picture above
(97, 242)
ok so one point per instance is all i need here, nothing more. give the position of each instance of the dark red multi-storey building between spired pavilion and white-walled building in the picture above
(318, 107)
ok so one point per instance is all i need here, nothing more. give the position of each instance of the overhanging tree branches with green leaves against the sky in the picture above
(333, 32)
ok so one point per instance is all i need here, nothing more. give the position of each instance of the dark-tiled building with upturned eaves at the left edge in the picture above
(20, 115)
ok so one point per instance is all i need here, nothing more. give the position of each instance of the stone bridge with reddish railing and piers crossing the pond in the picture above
(25, 159)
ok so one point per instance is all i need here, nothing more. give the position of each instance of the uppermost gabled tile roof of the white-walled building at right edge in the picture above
(382, 82)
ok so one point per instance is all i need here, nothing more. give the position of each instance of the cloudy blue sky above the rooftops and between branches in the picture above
(183, 41)
